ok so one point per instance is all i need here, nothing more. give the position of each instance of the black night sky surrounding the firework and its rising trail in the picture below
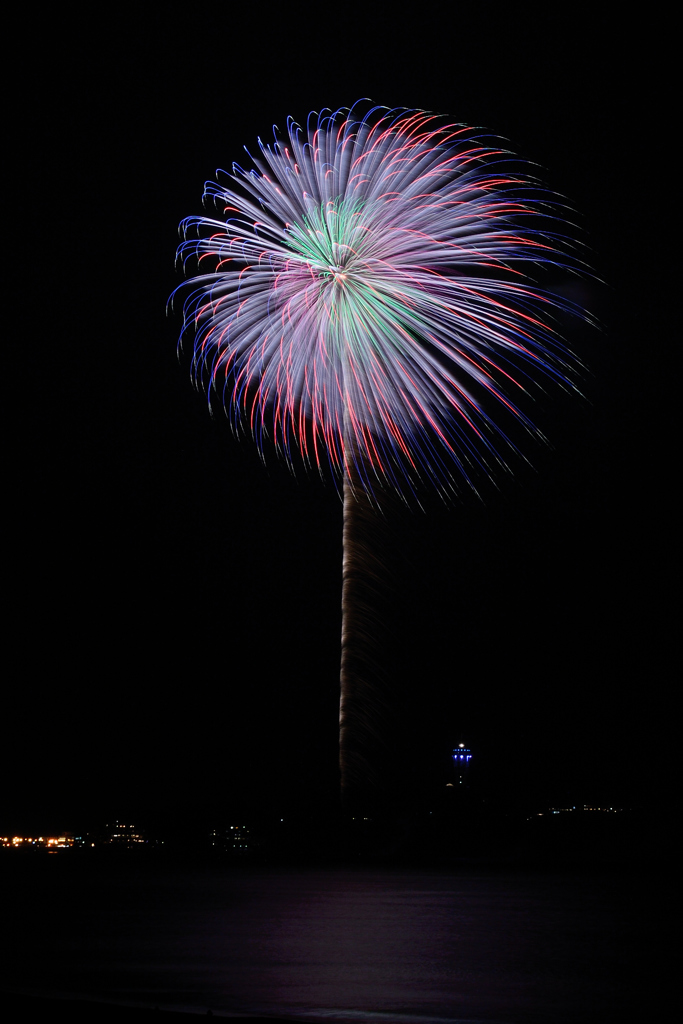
(176, 606)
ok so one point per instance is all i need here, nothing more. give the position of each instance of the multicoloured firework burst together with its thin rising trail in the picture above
(364, 304)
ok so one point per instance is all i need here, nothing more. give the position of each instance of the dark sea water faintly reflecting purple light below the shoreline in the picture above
(324, 945)
